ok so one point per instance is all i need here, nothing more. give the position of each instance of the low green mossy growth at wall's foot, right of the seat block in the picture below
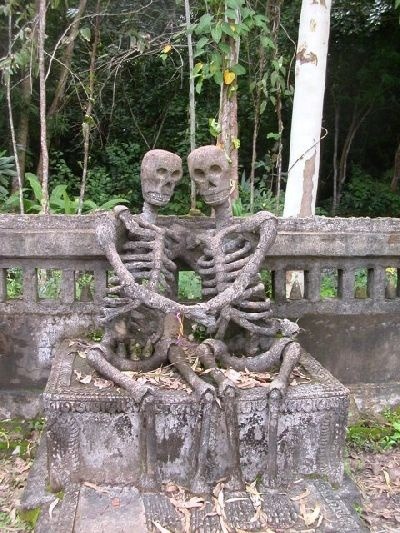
(374, 436)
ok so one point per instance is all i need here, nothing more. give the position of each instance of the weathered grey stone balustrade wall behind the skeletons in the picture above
(354, 333)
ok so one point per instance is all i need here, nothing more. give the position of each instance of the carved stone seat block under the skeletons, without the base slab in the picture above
(93, 435)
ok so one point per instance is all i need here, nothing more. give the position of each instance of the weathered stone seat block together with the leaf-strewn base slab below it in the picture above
(90, 457)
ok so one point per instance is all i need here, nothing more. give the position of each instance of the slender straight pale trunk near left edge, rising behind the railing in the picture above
(42, 108)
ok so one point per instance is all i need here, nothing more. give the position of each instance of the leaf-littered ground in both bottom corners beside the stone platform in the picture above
(376, 474)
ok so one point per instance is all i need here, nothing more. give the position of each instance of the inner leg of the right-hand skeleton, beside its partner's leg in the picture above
(227, 390)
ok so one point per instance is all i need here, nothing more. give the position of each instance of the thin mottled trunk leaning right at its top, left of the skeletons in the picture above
(88, 119)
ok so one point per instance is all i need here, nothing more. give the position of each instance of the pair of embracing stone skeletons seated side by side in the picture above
(231, 257)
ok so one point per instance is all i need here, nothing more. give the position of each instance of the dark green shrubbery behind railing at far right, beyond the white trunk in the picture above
(366, 196)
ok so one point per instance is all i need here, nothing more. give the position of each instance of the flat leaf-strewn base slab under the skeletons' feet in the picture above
(90, 508)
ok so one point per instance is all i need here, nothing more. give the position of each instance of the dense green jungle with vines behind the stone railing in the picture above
(117, 85)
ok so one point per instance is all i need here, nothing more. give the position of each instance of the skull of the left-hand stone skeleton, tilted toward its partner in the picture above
(159, 173)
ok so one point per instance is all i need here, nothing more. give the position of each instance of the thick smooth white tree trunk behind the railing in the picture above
(301, 189)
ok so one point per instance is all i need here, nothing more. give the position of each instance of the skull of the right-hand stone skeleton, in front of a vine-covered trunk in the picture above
(209, 168)
